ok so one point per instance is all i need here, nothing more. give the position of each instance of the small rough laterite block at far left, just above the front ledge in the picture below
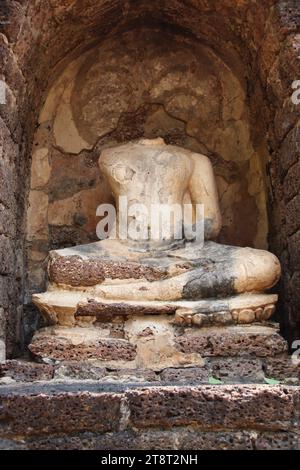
(22, 371)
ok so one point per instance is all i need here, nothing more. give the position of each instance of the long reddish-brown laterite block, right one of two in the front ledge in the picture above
(249, 407)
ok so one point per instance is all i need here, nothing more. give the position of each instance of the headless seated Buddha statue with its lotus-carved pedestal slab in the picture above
(175, 274)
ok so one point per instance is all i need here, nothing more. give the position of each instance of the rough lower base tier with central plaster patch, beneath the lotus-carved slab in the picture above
(153, 343)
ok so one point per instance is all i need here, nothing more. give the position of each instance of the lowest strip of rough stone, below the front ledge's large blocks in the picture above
(161, 440)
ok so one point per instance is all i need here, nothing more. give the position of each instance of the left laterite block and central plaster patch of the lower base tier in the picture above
(147, 343)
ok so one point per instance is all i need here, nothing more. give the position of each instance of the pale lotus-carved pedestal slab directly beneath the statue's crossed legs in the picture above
(73, 307)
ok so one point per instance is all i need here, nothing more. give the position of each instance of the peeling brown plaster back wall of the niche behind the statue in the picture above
(142, 83)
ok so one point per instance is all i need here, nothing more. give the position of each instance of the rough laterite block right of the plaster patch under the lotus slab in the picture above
(233, 341)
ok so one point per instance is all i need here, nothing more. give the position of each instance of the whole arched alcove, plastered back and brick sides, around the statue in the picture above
(246, 123)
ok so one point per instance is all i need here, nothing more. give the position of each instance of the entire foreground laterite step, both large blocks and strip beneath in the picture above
(89, 415)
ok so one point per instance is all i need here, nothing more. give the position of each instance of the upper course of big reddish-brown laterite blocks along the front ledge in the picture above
(75, 407)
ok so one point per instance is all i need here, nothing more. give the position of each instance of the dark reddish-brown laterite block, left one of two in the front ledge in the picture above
(27, 415)
